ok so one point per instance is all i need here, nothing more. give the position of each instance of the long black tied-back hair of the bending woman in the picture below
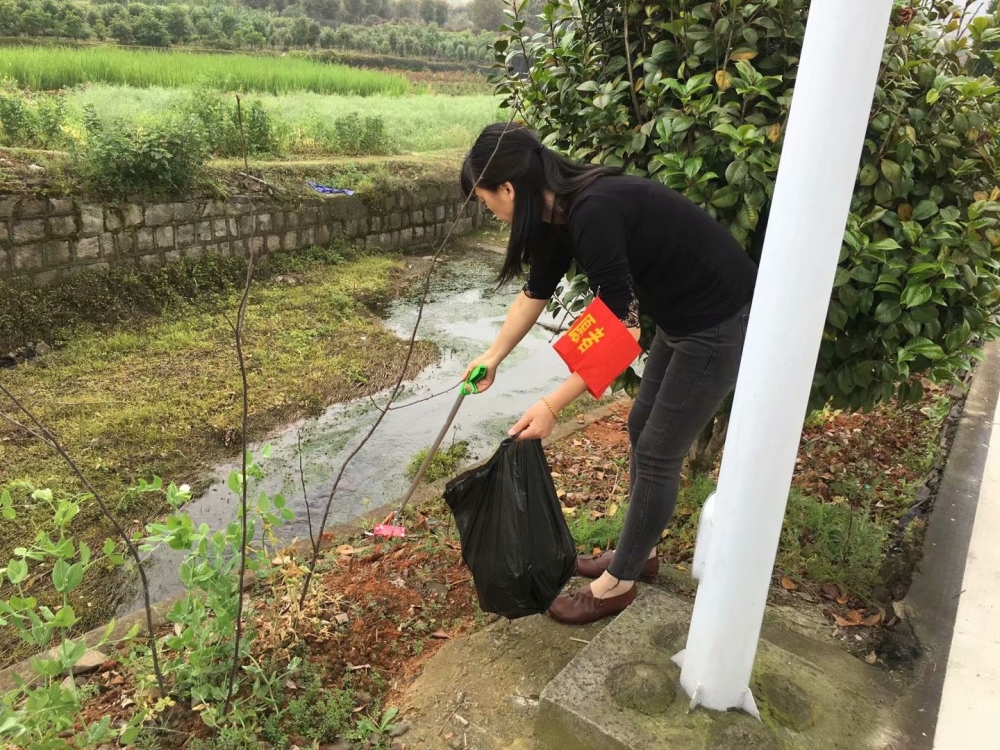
(514, 154)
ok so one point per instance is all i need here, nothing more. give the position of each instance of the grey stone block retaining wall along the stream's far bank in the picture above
(46, 238)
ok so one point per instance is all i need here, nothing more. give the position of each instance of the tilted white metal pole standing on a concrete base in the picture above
(819, 165)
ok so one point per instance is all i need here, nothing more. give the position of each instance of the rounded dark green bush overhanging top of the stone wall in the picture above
(120, 159)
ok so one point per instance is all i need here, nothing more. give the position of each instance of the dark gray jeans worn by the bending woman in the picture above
(684, 383)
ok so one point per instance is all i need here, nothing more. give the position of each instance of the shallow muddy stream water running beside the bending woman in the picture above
(462, 316)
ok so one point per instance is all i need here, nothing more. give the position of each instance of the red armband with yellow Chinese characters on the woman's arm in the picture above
(598, 347)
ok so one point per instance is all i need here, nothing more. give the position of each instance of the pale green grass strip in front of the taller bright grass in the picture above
(413, 123)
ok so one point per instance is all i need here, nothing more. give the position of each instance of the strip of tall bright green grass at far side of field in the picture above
(50, 68)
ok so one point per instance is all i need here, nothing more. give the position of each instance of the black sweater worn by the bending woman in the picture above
(640, 242)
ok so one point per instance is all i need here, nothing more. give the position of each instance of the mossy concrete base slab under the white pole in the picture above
(622, 692)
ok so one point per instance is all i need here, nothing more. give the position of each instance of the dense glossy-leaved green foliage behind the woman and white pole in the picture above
(697, 96)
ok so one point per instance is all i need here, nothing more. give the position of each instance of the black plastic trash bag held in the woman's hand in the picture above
(514, 536)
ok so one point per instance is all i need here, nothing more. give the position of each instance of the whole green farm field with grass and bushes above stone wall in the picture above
(107, 109)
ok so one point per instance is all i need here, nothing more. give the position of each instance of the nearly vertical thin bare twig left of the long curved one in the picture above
(238, 336)
